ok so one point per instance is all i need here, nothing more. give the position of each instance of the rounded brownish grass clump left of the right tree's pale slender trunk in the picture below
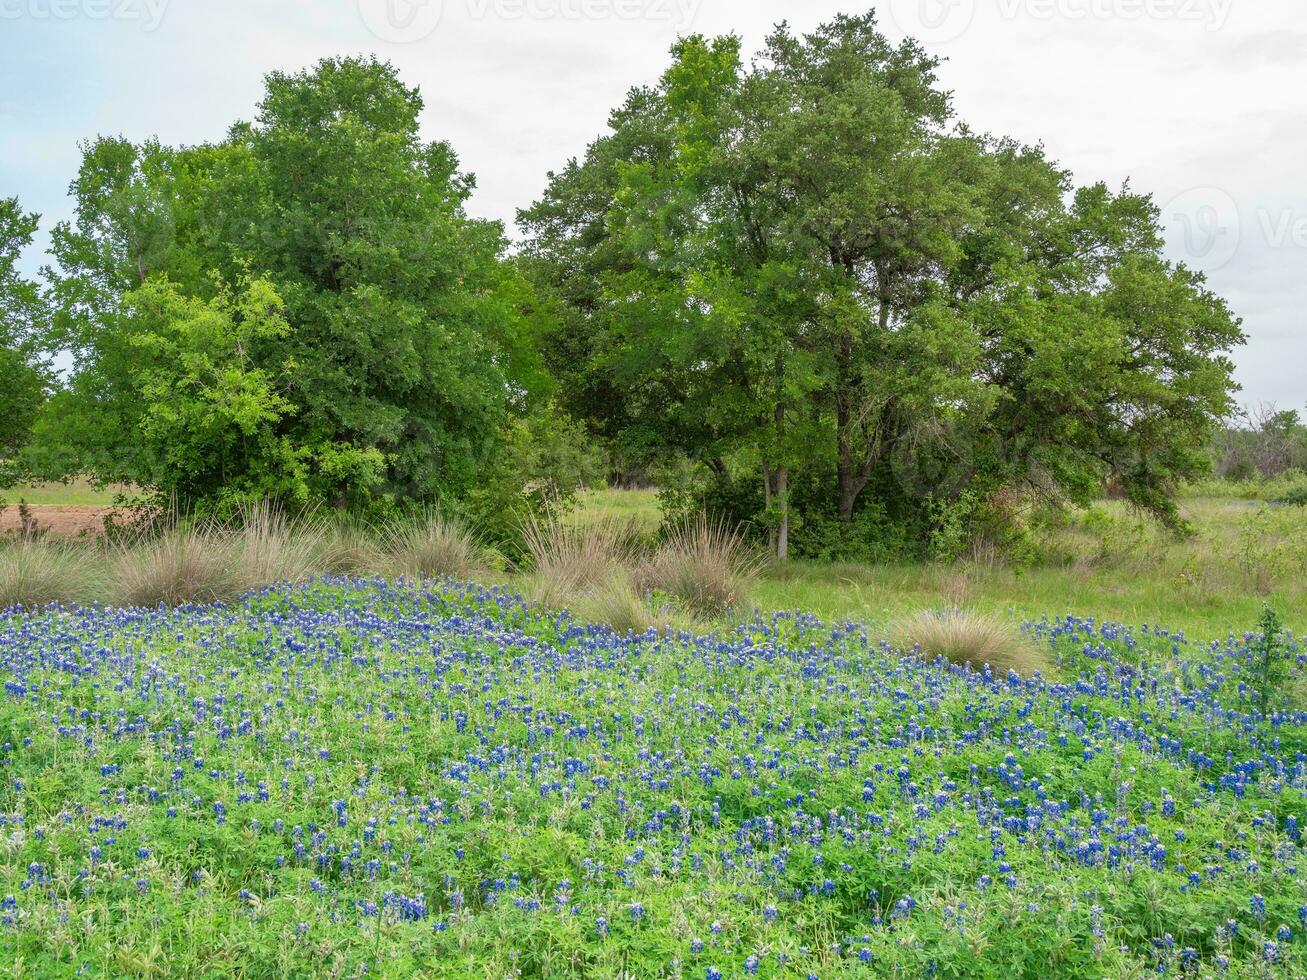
(706, 566)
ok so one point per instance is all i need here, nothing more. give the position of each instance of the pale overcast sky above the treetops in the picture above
(1199, 103)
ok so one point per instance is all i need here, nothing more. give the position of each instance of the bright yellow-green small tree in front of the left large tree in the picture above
(178, 400)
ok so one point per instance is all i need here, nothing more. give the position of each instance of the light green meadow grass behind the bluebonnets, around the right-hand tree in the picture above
(1108, 564)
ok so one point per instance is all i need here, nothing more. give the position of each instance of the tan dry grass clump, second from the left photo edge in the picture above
(177, 566)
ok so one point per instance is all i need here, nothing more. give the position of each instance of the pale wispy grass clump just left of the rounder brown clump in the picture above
(572, 560)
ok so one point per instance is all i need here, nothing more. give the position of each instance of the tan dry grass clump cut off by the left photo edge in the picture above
(37, 573)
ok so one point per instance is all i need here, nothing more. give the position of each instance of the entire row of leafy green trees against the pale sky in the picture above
(799, 292)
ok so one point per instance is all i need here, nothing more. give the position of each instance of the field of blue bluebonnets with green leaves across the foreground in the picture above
(356, 778)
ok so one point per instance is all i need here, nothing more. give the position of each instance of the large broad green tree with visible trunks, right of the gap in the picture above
(814, 266)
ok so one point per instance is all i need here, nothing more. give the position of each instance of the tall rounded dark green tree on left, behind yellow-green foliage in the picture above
(403, 350)
